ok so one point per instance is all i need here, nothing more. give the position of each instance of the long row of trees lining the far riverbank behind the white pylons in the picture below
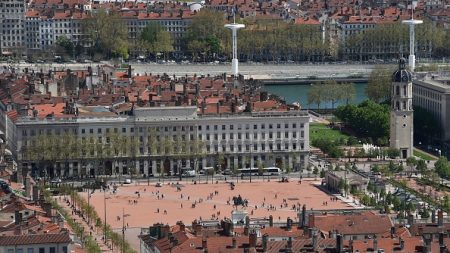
(262, 40)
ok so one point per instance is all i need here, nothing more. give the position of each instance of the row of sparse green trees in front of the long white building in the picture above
(46, 149)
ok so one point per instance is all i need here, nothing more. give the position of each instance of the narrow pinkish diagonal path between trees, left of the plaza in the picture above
(97, 234)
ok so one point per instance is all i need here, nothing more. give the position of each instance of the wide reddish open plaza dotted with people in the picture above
(145, 205)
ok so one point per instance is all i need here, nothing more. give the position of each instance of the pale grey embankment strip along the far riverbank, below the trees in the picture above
(256, 71)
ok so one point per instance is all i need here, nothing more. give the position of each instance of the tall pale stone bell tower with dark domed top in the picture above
(401, 122)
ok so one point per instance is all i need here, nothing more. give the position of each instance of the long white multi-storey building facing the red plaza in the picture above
(230, 141)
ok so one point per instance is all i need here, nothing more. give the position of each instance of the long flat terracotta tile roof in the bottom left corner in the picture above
(34, 239)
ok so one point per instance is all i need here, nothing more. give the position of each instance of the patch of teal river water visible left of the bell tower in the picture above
(299, 93)
